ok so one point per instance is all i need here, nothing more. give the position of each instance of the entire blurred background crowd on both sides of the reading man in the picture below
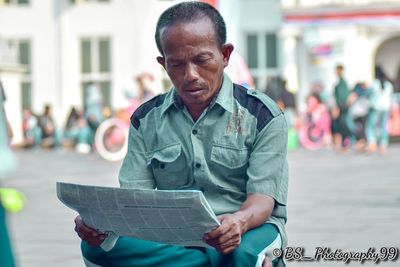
(350, 117)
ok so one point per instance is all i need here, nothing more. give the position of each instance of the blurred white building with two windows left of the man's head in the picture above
(66, 44)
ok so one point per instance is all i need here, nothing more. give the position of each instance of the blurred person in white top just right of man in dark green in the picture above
(359, 106)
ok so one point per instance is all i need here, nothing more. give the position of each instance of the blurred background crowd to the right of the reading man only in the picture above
(355, 117)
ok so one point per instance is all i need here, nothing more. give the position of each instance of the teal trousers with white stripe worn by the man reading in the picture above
(127, 252)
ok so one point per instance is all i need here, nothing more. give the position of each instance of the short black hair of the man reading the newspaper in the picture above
(189, 12)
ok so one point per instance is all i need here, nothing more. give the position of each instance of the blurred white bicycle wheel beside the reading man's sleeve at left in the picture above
(111, 139)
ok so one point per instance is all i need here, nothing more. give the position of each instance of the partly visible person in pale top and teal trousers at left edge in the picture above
(7, 163)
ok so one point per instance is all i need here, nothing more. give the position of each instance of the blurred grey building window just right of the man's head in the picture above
(262, 57)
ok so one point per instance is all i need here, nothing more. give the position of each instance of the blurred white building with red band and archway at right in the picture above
(319, 34)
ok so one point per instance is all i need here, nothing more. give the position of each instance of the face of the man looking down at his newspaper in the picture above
(194, 61)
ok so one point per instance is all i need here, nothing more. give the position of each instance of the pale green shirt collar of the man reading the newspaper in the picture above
(224, 97)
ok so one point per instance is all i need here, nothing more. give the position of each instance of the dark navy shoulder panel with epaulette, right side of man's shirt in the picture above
(258, 104)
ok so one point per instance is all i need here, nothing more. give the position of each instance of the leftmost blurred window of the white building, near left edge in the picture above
(22, 49)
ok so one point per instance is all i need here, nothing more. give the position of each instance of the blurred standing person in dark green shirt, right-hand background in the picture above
(340, 113)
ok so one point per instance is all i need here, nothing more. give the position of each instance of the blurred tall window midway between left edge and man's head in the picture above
(96, 67)
